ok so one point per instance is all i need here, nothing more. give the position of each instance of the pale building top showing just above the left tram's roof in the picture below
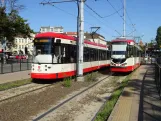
(51, 29)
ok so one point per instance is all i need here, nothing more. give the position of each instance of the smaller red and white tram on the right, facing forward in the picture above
(125, 55)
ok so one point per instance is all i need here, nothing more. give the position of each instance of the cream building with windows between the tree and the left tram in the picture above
(20, 43)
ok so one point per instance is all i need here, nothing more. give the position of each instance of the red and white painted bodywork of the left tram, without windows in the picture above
(52, 66)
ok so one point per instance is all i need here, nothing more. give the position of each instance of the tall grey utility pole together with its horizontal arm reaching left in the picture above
(80, 34)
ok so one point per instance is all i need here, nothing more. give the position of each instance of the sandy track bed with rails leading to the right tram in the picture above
(54, 112)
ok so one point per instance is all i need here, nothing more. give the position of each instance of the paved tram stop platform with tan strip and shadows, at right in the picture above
(140, 100)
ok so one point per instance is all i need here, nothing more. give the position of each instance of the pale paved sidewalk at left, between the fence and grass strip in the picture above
(9, 77)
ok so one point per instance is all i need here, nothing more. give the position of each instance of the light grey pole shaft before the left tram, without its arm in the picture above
(80, 42)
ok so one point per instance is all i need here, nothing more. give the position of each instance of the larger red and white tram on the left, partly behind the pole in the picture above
(55, 56)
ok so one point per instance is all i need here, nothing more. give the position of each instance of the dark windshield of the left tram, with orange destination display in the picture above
(42, 46)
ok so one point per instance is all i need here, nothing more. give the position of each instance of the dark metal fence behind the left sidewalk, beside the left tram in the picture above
(14, 65)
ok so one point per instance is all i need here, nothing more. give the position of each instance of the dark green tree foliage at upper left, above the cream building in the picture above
(12, 25)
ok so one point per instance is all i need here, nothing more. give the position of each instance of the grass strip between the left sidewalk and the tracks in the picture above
(14, 84)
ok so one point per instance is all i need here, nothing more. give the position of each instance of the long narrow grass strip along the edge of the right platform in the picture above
(105, 112)
